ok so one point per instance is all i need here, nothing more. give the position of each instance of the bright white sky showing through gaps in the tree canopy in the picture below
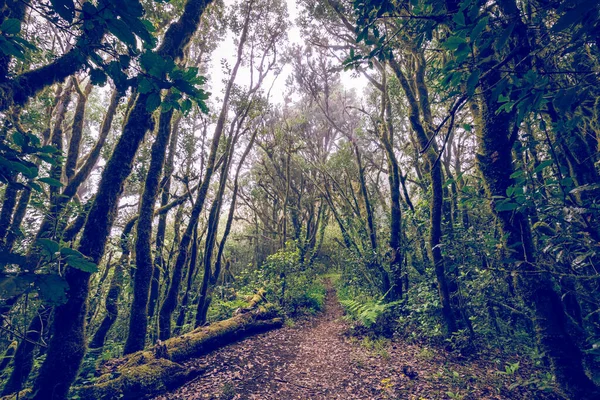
(227, 51)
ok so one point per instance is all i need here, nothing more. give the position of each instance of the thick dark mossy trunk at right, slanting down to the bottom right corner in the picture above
(535, 287)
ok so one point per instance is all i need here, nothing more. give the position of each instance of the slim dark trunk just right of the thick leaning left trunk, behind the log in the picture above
(138, 320)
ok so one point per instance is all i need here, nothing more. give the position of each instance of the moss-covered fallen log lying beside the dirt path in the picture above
(148, 373)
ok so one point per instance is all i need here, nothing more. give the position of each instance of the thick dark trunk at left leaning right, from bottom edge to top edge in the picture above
(67, 345)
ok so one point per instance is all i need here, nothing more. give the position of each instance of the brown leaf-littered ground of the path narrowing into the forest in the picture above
(315, 358)
